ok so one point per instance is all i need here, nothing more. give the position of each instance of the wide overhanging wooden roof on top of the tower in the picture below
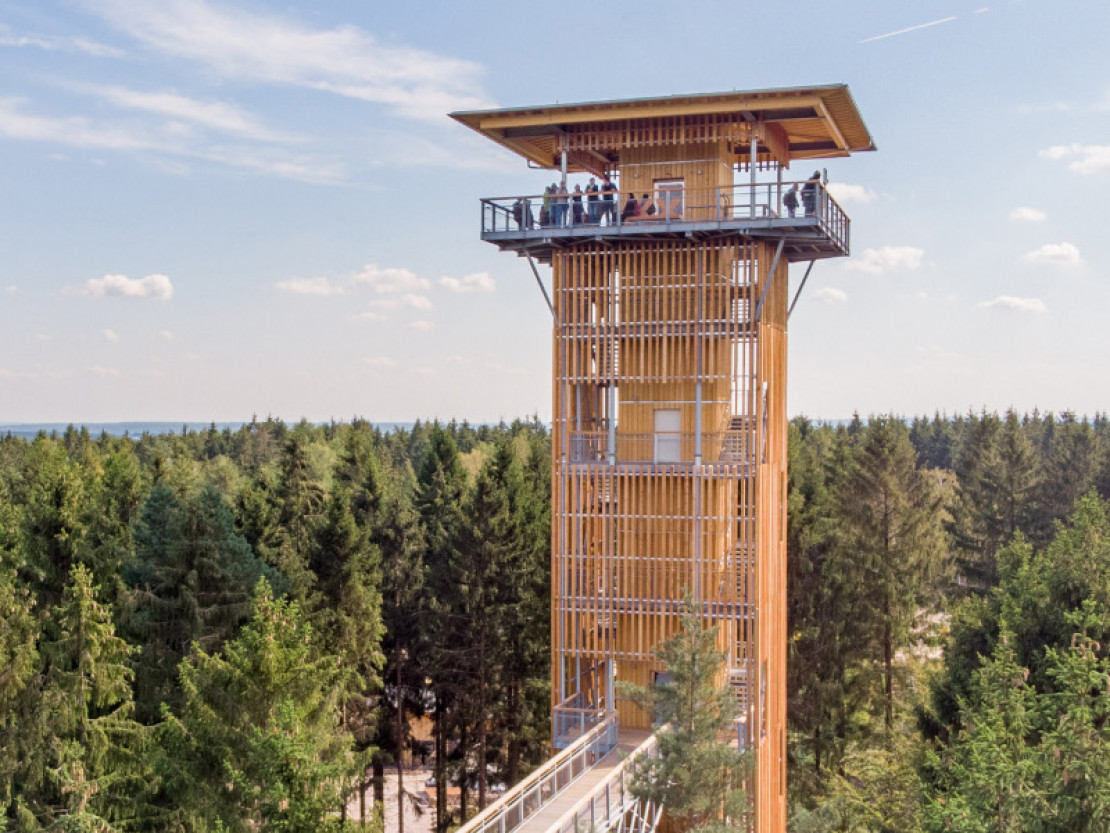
(789, 124)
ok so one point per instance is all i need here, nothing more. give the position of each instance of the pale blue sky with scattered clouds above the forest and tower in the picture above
(218, 209)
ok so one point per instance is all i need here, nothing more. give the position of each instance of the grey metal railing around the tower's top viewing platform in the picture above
(549, 215)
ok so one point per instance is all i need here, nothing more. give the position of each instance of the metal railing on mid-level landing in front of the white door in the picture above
(719, 448)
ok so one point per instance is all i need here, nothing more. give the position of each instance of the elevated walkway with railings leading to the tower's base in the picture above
(587, 787)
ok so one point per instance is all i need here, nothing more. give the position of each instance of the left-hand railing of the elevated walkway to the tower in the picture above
(537, 791)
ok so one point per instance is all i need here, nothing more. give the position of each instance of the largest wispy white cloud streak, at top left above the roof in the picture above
(346, 61)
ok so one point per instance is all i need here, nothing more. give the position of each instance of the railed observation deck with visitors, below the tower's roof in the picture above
(819, 228)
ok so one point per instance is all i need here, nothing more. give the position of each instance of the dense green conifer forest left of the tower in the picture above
(231, 629)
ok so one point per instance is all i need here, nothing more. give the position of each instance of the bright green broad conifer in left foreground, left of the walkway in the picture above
(257, 742)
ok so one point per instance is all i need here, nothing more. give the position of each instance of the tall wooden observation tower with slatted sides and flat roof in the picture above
(670, 438)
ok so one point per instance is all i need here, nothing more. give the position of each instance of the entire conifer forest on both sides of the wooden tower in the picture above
(234, 630)
